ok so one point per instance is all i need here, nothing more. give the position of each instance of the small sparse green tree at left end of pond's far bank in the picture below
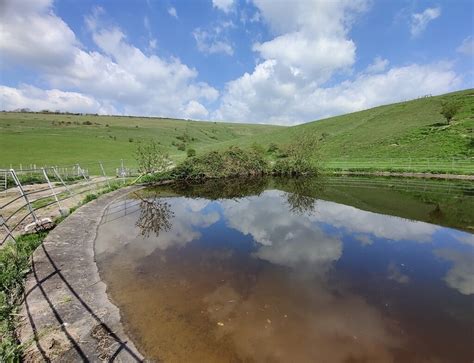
(150, 157)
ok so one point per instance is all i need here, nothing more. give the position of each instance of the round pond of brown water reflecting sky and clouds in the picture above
(300, 270)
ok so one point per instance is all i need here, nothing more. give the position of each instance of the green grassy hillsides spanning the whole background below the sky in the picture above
(410, 136)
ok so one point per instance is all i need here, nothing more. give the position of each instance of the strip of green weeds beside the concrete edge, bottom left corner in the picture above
(14, 265)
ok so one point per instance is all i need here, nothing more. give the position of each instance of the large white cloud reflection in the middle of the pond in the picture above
(284, 239)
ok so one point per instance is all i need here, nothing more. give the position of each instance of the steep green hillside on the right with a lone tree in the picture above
(409, 129)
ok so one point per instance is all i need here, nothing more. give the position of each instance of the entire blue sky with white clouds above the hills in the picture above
(259, 61)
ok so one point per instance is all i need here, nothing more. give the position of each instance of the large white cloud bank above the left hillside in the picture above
(118, 73)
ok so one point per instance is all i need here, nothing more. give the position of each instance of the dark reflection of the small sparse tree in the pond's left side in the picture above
(155, 215)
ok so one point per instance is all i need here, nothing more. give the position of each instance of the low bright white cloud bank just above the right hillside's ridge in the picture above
(274, 94)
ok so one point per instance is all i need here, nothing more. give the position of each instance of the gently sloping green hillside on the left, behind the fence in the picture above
(33, 139)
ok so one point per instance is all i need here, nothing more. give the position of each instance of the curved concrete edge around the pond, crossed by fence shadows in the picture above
(66, 314)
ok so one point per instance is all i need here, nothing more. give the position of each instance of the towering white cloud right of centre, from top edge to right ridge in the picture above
(310, 45)
